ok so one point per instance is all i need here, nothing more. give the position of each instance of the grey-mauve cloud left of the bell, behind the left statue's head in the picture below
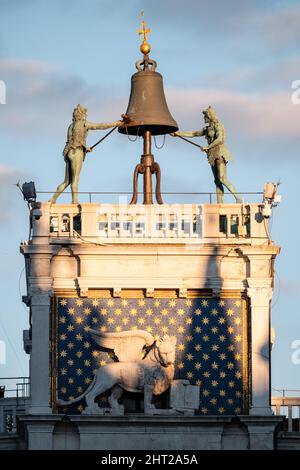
(40, 98)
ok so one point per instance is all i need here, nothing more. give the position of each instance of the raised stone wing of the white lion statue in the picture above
(127, 345)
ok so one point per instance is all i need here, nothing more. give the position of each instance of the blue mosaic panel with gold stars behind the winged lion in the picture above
(210, 344)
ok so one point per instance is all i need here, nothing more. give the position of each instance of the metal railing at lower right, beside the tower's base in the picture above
(288, 406)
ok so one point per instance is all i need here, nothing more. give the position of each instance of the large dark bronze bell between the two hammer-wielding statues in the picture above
(147, 108)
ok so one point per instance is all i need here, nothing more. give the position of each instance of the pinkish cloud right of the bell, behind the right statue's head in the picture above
(247, 115)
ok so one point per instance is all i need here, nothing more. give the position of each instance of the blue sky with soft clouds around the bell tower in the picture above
(239, 56)
